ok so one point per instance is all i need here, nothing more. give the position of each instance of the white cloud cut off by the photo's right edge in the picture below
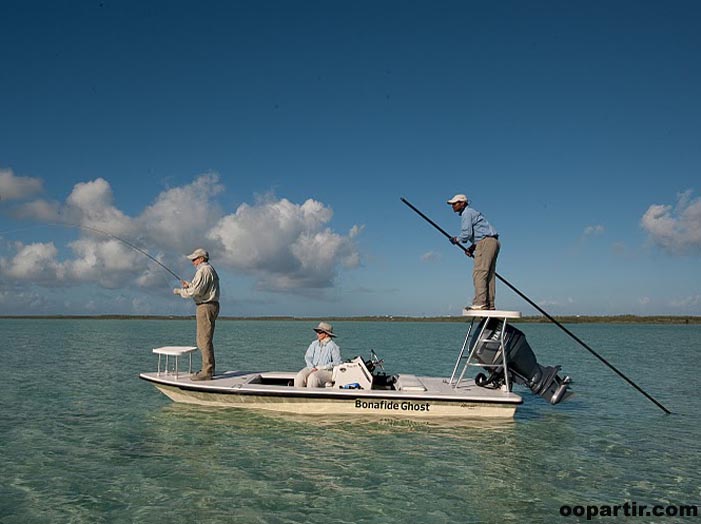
(677, 228)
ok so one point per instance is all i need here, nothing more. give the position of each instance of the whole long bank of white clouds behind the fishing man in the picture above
(284, 245)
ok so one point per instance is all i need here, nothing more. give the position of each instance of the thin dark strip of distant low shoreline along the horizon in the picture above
(567, 319)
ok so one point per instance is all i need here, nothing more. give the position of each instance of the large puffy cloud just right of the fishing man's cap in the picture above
(285, 245)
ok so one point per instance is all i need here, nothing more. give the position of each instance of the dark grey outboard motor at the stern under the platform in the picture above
(521, 362)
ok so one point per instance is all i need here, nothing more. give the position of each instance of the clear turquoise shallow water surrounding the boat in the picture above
(84, 440)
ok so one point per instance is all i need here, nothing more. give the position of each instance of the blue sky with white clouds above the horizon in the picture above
(281, 136)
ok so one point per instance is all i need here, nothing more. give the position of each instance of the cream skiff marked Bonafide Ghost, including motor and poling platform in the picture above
(359, 388)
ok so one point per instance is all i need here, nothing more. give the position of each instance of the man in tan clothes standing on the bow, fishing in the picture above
(204, 290)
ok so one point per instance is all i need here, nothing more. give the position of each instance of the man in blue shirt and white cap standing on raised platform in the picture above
(484, 248)
